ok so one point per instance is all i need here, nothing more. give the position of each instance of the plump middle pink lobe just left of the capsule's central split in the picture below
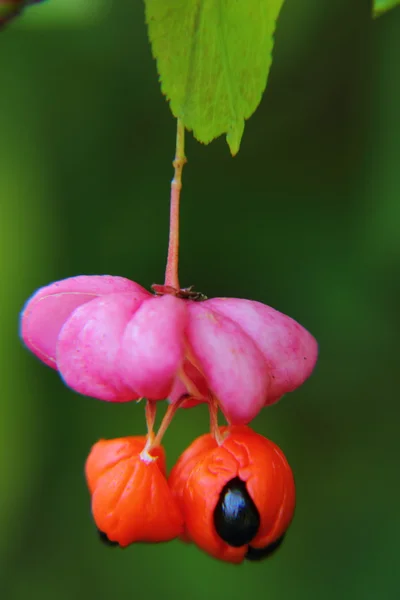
(152, 347)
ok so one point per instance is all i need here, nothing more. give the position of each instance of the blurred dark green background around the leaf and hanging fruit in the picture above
(306, 218)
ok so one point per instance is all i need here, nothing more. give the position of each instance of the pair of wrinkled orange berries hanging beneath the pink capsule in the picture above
(232, 493)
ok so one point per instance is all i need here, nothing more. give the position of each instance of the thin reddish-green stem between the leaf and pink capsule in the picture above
(171, 272)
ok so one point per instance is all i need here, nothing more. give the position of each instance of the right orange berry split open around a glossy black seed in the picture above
(237, 498)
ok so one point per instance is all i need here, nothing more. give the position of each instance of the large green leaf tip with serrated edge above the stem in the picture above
(213, 57)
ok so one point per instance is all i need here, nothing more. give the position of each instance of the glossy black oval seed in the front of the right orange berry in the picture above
(236, 518)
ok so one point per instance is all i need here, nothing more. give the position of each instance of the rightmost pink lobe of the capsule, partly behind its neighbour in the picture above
(289, 349)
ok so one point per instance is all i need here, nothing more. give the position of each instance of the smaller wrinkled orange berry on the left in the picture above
(131, 499)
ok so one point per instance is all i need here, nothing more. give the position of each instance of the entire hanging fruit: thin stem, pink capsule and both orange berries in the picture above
(232, 491)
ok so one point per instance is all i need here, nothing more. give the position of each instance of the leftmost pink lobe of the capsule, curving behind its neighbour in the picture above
(47, 310)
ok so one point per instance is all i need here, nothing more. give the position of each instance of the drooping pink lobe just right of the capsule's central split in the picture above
(233, 366)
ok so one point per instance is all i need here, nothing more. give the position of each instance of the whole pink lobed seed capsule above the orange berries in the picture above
(111, 339)
